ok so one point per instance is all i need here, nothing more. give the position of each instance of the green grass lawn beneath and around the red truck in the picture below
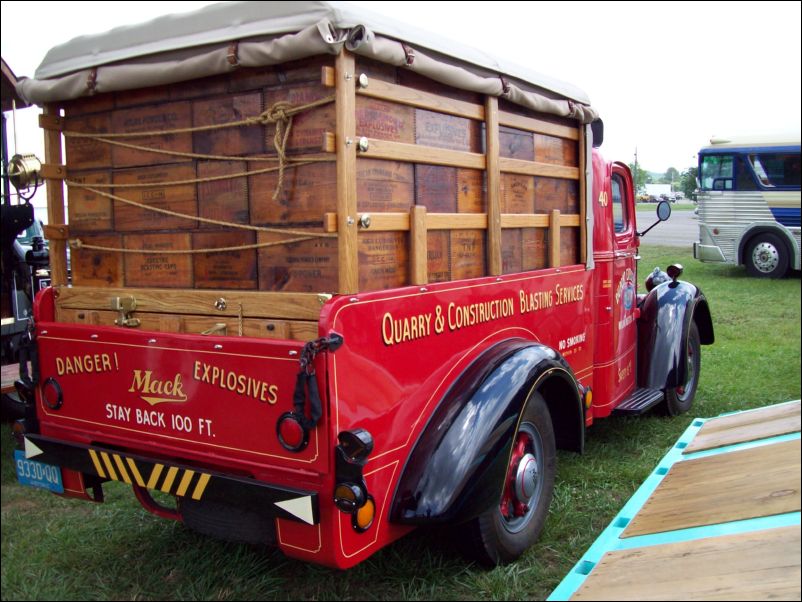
(60, 549)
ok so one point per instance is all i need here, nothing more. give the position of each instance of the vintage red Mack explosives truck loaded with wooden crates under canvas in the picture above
(333, 279)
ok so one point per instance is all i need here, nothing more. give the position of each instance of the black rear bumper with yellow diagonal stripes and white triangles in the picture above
(183, 481)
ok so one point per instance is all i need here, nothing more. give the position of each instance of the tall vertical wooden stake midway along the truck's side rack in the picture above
(494, 265)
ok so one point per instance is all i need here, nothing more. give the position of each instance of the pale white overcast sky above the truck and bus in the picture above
(664, 76)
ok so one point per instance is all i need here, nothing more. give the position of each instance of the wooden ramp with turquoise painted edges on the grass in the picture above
(718, 519)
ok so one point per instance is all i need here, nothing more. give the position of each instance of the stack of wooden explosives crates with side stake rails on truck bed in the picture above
(428, 148)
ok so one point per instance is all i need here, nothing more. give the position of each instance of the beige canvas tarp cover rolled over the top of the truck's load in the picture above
(228, 36)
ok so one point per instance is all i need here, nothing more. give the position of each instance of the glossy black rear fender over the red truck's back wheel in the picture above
(457, 468)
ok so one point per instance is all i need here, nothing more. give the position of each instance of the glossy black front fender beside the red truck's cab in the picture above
(663, 326)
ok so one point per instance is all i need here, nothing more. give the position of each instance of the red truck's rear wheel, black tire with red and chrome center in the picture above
(500, 536)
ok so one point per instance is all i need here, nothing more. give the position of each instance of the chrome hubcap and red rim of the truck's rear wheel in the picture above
(523, 485)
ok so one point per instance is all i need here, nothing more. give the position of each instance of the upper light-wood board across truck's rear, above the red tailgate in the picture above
(265, 304)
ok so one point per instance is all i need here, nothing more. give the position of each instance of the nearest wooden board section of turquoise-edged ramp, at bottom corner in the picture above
(760, 565)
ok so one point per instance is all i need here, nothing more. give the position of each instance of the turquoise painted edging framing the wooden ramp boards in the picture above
(610, 539)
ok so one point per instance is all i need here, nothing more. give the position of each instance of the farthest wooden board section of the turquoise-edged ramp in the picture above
(747, 426)
